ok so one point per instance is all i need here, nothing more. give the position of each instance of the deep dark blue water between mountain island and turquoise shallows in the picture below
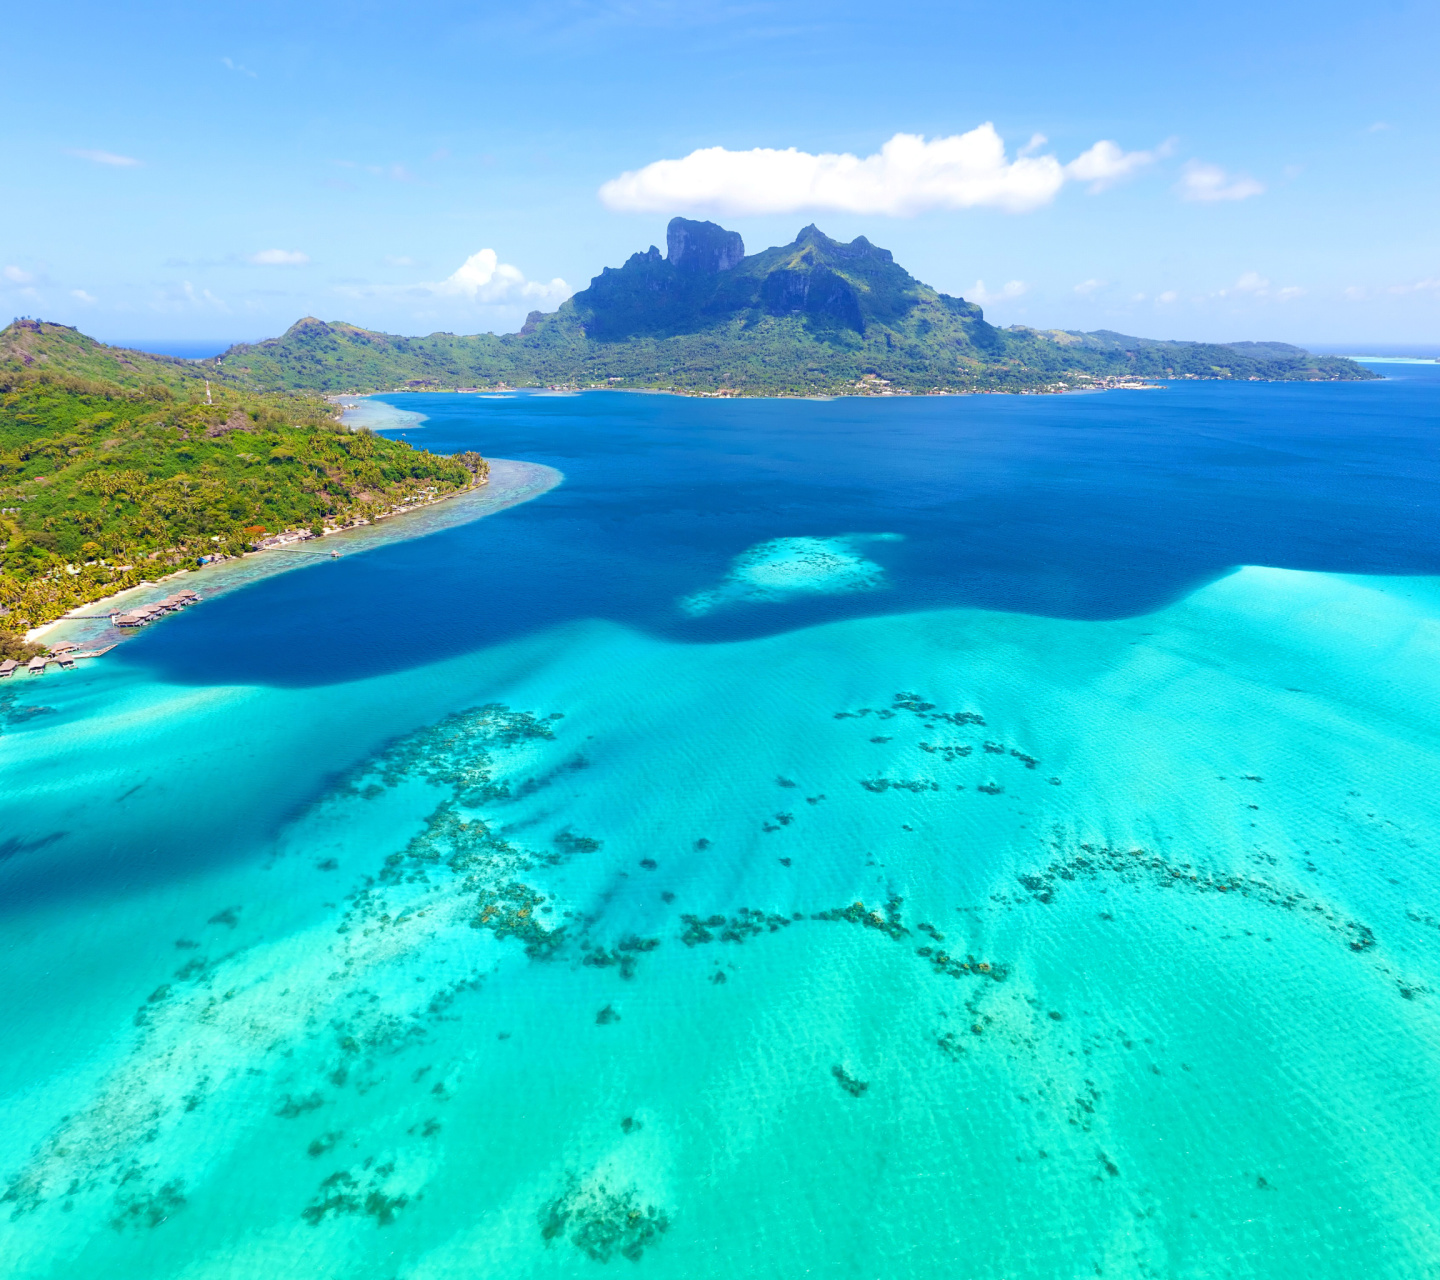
(1085, 508)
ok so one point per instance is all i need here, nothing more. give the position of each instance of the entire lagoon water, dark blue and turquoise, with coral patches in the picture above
(977, 837)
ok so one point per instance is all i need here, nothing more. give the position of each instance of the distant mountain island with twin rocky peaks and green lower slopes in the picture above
(814, 316)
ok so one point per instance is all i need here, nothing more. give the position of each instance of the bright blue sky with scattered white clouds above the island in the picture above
(181, 173)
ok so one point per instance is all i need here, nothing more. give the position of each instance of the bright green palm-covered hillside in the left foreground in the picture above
(104, 486)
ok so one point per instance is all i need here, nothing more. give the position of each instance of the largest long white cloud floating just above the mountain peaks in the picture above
(906, 176)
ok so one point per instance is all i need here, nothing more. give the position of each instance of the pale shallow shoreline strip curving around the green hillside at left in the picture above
(510, 484)
